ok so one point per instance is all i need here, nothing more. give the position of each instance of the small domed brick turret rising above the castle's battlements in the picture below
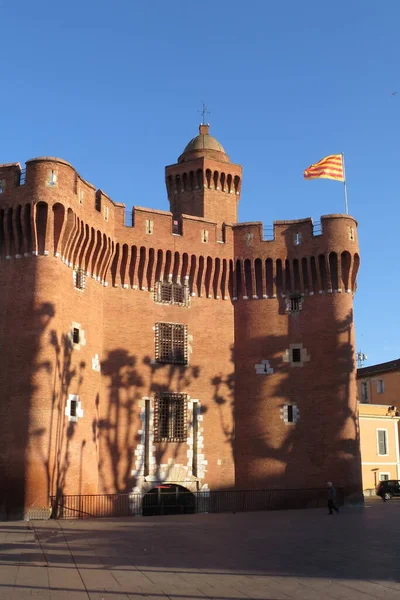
(204, 183)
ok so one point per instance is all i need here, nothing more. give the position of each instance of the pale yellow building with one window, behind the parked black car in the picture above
(379, 441)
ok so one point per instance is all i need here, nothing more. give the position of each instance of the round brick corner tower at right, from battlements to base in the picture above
(296, 412)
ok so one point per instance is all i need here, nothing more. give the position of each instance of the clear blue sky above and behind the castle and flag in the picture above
(115, 88)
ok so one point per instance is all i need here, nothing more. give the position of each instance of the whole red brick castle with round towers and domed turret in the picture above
(183, 348)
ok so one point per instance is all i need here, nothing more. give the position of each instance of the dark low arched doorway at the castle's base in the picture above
(168, 499)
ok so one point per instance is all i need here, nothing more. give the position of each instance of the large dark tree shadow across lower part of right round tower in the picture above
(324, 451)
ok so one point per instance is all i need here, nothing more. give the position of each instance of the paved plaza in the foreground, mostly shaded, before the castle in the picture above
(303, 554)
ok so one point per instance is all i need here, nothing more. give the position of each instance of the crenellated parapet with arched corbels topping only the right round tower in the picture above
(295, 257)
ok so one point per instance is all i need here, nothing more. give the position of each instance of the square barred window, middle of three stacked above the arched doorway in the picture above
(171, 343)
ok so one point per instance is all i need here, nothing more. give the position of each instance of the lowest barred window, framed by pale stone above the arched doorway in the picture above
(170, 417)
